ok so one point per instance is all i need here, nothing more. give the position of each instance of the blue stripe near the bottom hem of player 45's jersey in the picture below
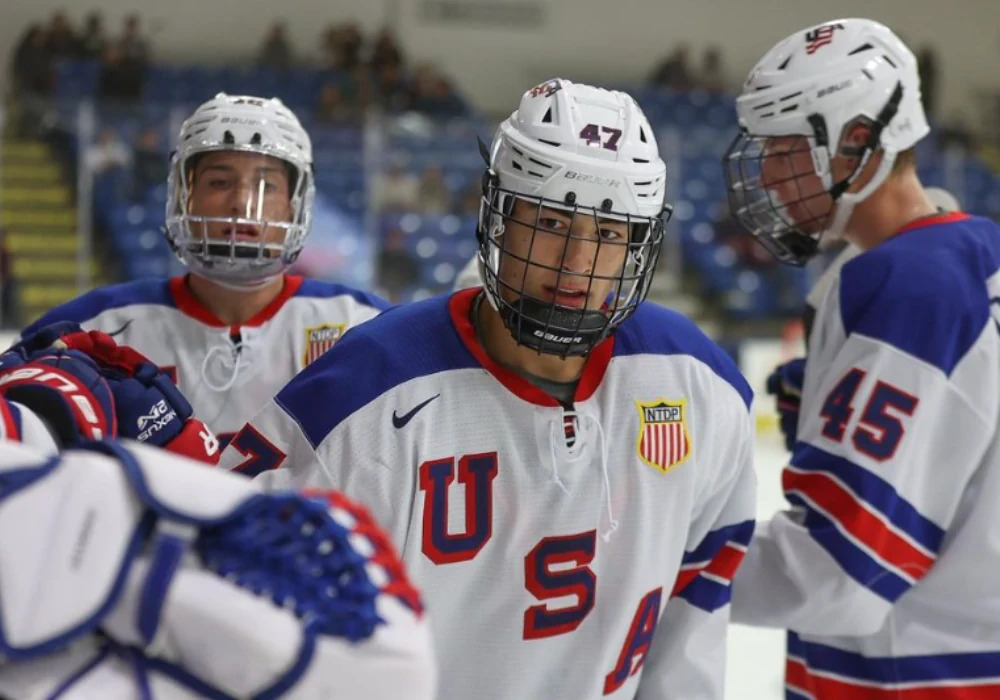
(895, 669)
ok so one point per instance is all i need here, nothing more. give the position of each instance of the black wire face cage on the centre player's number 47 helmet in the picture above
(545, 305)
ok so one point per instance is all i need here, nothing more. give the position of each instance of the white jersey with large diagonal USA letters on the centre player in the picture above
(552, 568)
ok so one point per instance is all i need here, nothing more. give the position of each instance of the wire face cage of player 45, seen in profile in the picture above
(789, 230)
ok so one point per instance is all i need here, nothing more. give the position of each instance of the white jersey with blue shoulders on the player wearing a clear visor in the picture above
(227, 372)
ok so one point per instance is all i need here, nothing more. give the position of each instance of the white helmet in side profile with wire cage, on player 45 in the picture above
(815, 83)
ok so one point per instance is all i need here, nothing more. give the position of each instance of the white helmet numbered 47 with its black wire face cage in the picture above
(584, 151)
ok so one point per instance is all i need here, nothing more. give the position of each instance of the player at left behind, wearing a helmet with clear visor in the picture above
(235, 329)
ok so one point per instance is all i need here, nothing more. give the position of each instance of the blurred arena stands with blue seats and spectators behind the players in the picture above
(91, 115)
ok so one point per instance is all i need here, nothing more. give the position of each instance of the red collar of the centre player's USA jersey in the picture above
(460, 308)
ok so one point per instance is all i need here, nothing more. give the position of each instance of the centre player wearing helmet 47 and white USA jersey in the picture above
(565, 469)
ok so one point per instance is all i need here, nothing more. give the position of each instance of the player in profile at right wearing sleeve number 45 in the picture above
(894, 477)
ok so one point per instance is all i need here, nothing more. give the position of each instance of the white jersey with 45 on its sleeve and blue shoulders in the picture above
(886, 566)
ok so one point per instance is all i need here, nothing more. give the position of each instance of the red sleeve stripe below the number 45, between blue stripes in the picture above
(844, 508)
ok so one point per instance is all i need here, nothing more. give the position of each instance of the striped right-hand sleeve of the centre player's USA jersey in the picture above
(688, 654)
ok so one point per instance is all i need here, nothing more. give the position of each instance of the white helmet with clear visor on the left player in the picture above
(253, 125)
